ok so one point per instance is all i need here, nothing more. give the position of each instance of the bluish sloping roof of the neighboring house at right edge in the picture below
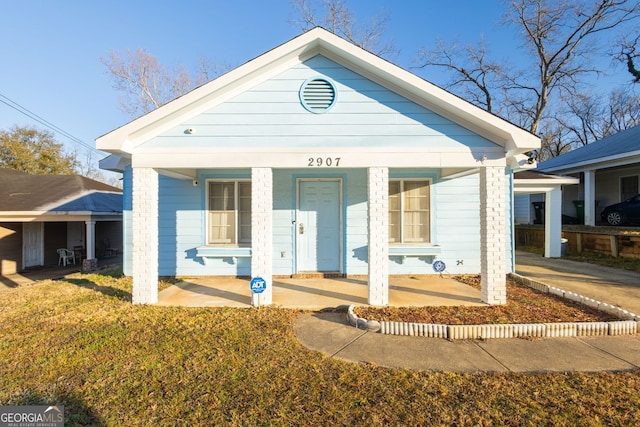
(615, 148)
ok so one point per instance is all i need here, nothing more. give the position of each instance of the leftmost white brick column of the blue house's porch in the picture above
(145, 236)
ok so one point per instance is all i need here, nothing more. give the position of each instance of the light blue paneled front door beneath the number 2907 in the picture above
(318, 226)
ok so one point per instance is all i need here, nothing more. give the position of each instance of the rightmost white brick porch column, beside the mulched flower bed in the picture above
(492, 235)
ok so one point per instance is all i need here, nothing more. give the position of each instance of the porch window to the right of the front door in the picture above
(409, 211)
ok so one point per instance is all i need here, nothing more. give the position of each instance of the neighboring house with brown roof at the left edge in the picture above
(42, 213)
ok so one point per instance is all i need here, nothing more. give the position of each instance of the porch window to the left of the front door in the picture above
(229, 212)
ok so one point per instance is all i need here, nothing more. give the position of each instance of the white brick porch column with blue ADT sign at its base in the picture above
(262, 232)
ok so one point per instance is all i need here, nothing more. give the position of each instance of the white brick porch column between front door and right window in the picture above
(378, 195)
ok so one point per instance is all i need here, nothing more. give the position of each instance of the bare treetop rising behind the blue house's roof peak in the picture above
(336, 17)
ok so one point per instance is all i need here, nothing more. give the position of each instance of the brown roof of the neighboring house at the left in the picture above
(23, 192)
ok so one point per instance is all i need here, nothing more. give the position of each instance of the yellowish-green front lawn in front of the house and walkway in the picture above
(81, 343)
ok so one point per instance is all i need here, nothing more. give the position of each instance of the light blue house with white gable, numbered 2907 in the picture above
(318, 157)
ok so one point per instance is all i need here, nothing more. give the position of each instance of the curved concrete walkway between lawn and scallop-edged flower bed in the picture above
(329, 333)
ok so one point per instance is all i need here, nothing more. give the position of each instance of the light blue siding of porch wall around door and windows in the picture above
(455, 225)
